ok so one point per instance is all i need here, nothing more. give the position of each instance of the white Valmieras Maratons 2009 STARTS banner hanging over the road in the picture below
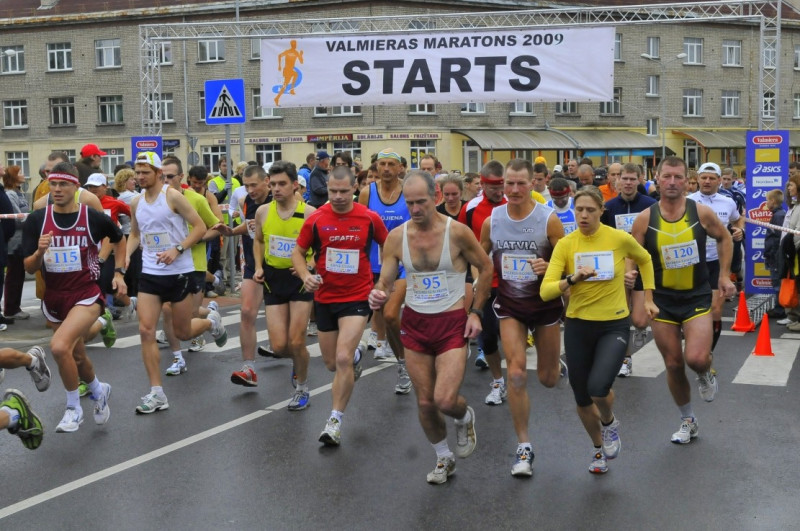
(575, 64)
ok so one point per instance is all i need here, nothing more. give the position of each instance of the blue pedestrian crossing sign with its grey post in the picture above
(225, 105)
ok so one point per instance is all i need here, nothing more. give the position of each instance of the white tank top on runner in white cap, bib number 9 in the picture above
(161, 229)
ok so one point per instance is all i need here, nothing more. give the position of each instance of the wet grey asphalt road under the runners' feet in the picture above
(228, 457)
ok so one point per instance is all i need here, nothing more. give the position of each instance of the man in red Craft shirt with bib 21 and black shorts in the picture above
(340, 234)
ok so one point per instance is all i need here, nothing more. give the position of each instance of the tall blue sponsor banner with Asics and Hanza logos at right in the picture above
(767, 168)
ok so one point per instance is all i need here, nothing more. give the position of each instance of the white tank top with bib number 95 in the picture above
(432, 292)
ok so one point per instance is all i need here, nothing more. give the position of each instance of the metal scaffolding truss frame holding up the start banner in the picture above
(767, 14)
